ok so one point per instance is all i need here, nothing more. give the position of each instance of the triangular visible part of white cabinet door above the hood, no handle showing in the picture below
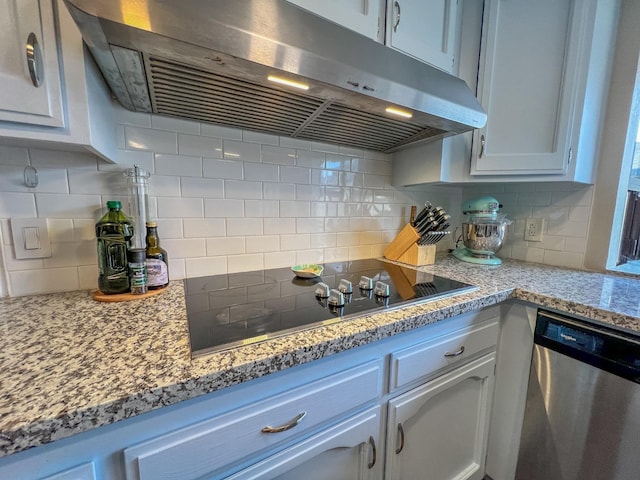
(362, 16)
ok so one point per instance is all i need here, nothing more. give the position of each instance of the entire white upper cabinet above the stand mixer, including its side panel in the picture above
(543, 75)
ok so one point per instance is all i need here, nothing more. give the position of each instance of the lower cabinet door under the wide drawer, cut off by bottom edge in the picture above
(350, 450)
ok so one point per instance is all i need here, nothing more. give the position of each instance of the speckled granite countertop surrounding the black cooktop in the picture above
(69, 364)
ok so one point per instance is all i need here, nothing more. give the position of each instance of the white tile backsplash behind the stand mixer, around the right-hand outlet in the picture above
(566, 208)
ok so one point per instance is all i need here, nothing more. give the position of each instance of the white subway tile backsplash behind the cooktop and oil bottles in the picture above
(226, 200)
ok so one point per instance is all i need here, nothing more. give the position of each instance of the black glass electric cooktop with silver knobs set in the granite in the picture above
(234, 309)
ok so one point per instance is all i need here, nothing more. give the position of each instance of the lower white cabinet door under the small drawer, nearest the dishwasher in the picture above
(441, 426)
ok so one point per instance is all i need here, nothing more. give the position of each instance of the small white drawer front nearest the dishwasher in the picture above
(426, 358)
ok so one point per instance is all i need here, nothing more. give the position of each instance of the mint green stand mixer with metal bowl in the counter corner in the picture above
(483, 231)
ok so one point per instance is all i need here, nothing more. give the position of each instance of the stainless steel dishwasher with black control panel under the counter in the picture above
(582, 416)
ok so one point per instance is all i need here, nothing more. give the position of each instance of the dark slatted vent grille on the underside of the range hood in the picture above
(190, 92)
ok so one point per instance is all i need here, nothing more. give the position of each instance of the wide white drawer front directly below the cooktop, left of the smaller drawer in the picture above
(208, 446)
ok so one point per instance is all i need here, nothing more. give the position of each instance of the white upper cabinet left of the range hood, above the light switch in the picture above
(51, 90)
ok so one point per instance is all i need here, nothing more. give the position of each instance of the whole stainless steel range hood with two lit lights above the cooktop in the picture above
(210, 60)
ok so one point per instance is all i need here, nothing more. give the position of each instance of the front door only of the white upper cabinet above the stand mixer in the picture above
(528, 85)
